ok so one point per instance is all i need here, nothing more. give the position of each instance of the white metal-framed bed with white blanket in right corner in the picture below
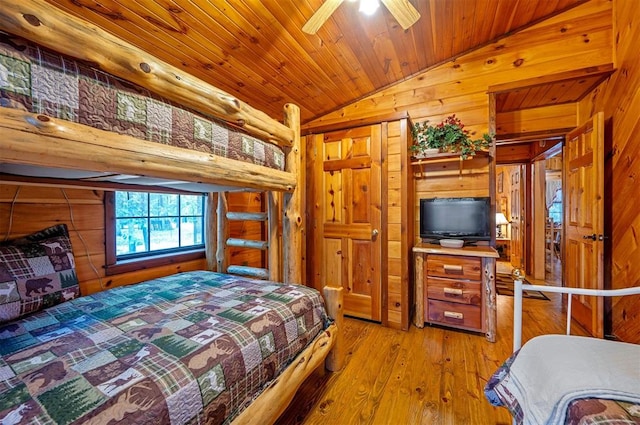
(568, 379)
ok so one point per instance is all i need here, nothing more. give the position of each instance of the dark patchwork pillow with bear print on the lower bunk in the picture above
(36, 271)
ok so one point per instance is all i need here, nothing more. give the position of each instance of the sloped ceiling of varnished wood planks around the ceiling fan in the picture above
(257, 51)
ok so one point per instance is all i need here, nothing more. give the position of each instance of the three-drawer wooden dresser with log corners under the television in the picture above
(455, 287)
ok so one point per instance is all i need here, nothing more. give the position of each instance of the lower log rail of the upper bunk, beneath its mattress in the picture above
(34, 139)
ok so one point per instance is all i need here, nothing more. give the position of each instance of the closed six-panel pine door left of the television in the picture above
(347, 188)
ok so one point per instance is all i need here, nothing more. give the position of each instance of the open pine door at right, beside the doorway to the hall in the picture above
(583, 170)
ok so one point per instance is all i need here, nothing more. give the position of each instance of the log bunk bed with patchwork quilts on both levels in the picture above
(102, 346)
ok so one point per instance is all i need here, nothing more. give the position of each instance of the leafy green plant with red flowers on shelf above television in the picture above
(447, 136)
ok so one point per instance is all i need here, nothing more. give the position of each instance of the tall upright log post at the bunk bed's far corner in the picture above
(293, 220)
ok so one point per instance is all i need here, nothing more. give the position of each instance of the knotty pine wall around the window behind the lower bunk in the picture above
(38, 207)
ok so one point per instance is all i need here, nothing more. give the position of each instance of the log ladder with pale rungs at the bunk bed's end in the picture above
(272, 245)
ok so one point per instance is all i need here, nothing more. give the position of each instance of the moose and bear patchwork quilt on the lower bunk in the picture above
(193, 347)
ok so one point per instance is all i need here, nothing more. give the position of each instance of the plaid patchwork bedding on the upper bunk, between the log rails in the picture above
(40, 81)
